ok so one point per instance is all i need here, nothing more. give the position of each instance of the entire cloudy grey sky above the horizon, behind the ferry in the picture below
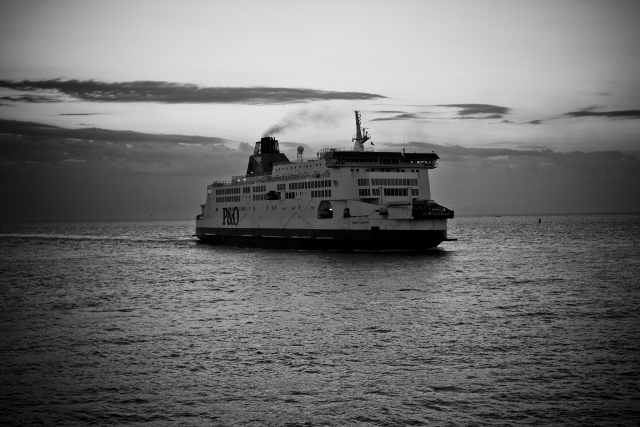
(126, 110)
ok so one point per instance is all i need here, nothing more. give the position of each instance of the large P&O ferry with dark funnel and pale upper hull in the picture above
(340, 199)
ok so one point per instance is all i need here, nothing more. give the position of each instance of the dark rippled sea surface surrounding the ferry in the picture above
(516, 323)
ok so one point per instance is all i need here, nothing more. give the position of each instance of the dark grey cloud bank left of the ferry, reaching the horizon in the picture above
(60, 174)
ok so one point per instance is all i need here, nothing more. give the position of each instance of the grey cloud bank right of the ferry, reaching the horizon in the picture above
(498, 180)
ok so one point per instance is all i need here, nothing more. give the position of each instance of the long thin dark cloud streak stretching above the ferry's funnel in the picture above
(173, 93)
